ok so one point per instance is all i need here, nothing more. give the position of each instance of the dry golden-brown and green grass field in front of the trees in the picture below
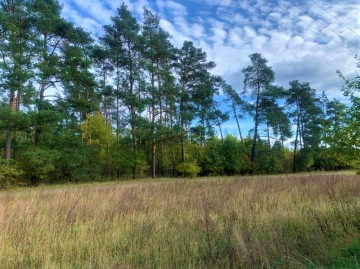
(293, 221)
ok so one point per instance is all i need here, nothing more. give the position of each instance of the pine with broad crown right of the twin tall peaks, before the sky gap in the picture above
(196, 90)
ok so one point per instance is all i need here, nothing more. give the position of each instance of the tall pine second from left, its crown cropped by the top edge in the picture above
(52, 34)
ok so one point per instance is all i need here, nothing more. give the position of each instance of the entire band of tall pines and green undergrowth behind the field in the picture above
(130, 104)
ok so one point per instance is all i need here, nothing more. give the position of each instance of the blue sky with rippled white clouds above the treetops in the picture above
(305, 40)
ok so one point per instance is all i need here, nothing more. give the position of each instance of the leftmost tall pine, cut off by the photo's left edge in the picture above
(16, 45)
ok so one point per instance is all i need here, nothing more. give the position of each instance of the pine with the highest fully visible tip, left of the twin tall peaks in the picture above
(123, 39)
